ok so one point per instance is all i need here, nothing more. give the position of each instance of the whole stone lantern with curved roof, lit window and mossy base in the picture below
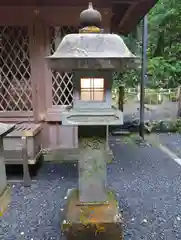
(92, 56)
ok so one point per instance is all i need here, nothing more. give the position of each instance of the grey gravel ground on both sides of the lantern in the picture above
(148, 187)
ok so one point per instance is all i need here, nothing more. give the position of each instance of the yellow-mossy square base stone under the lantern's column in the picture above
(91, 221)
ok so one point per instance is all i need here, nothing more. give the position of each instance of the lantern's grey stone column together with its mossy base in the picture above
(92, 208)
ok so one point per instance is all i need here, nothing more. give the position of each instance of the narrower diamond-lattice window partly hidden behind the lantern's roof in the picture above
(62, 86)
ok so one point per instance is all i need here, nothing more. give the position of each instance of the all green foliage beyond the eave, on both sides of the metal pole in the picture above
(164, 47)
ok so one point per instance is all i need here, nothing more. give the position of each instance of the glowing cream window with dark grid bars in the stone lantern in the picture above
(92, 89)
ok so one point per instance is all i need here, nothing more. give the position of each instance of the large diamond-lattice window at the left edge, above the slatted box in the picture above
(15, 72)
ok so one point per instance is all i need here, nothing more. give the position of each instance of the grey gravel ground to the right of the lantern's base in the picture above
(149, 186)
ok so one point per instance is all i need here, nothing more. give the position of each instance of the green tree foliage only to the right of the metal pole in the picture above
(164, 50)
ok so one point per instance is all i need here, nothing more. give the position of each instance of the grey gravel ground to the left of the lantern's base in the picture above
(35, 213)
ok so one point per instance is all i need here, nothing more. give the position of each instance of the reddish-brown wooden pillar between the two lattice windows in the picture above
(38, 72)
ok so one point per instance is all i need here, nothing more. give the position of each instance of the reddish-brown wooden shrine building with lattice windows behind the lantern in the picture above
(31, 30)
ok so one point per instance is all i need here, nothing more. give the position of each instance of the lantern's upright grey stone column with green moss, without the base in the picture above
(92, 164)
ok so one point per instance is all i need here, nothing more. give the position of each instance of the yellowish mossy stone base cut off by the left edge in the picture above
(5, 199)
